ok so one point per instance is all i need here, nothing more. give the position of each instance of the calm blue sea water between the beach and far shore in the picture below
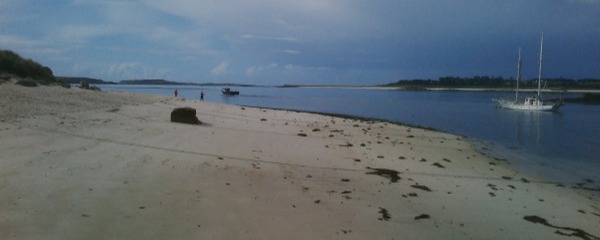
(559, 146)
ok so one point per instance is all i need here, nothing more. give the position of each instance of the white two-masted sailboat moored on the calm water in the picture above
(535, 103)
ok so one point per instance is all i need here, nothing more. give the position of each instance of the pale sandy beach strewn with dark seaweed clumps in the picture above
(79, 164)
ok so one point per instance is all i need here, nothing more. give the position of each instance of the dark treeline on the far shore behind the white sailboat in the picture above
(497, 82)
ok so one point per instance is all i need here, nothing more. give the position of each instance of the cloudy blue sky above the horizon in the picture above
(274, 42)
